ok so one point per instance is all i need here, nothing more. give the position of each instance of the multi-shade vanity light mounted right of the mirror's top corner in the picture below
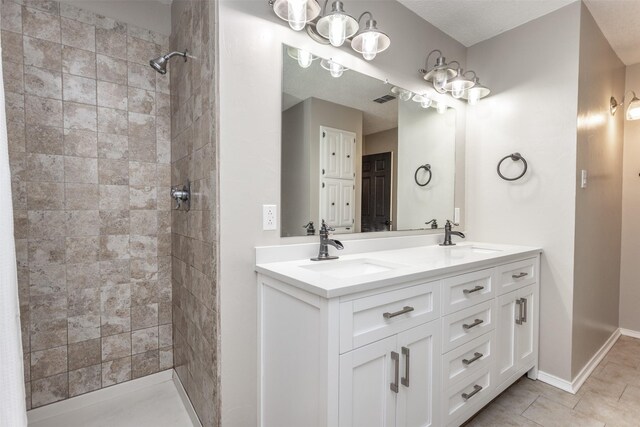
(445, 78)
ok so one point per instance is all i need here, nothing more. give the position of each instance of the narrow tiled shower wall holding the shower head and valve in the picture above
(194, 233)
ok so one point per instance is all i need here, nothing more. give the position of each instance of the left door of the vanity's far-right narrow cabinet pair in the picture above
(507, 362)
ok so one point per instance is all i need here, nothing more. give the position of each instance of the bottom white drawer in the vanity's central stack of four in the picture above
(467, 397)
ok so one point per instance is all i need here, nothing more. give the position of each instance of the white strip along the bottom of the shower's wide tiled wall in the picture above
(97, 396)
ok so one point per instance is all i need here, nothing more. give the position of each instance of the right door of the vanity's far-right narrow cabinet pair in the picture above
(526, 305)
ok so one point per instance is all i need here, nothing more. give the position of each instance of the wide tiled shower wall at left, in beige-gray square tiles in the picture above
(89, 138)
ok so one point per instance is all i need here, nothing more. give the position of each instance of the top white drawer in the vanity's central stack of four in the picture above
(466, 290)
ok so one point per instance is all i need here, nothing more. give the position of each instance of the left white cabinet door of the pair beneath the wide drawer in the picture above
(366, 375)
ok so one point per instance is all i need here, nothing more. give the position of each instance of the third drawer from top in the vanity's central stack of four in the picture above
(467, 359)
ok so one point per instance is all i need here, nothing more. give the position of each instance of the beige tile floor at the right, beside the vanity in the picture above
(610, 397)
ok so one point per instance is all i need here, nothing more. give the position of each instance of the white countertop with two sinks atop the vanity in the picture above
(399, 265)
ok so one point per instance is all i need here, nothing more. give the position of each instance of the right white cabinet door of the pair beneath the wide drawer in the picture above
(419, 396)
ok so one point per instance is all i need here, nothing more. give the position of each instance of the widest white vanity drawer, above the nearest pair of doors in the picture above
(371, 318)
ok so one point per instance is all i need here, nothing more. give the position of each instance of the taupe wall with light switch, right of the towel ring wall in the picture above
(599, 206)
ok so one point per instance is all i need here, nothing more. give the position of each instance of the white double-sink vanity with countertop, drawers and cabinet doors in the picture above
(416, 335)
